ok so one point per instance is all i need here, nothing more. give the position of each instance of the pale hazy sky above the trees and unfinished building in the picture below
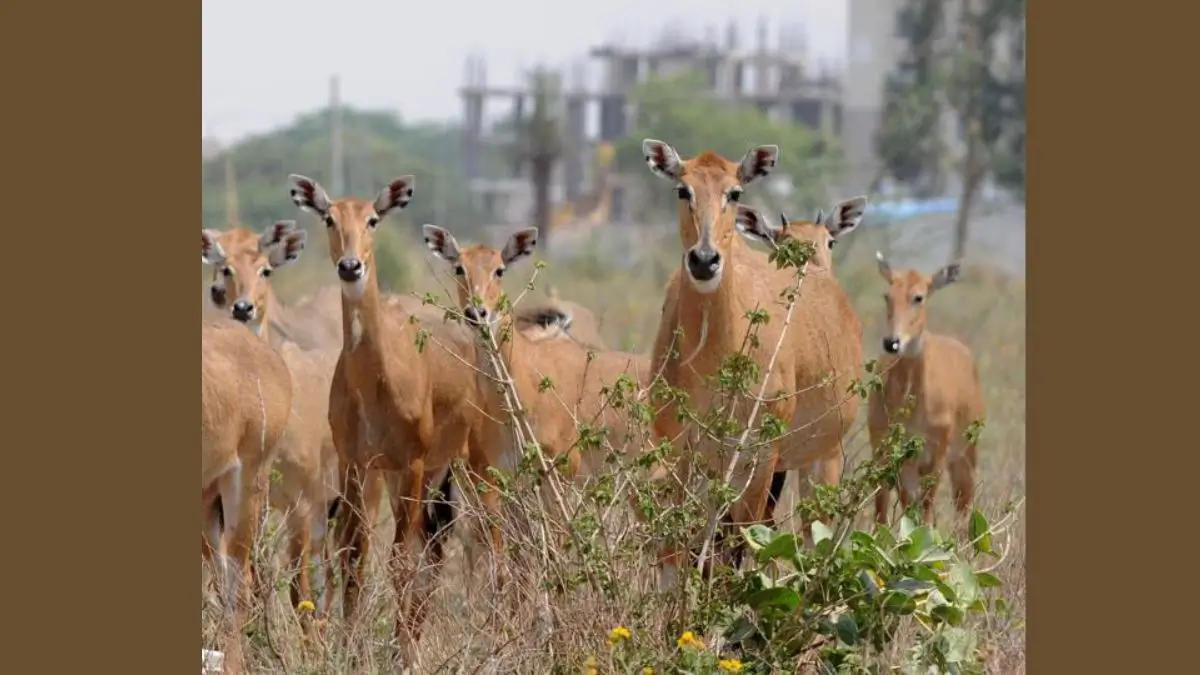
(267, 62)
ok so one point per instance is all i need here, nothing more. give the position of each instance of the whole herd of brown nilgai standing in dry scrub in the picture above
(325, 408)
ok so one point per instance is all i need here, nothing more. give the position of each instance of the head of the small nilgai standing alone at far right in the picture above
(908, 298)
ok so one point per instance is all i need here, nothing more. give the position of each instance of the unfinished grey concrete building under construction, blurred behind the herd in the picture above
(775, 79)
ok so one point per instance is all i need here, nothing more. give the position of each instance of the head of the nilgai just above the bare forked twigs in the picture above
(479, 270)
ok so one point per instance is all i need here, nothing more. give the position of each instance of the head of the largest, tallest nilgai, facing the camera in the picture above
(709, 188)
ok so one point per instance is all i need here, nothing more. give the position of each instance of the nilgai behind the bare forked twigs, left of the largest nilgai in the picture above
(577, 383)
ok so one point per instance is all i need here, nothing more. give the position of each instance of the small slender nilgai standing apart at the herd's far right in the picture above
(940, 375)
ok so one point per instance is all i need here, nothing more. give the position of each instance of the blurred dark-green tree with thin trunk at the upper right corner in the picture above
(977, 73)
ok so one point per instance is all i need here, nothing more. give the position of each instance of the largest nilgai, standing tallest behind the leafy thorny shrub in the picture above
(721, 280)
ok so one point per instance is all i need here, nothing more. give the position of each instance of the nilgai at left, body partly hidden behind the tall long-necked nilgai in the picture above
(308, 461)
